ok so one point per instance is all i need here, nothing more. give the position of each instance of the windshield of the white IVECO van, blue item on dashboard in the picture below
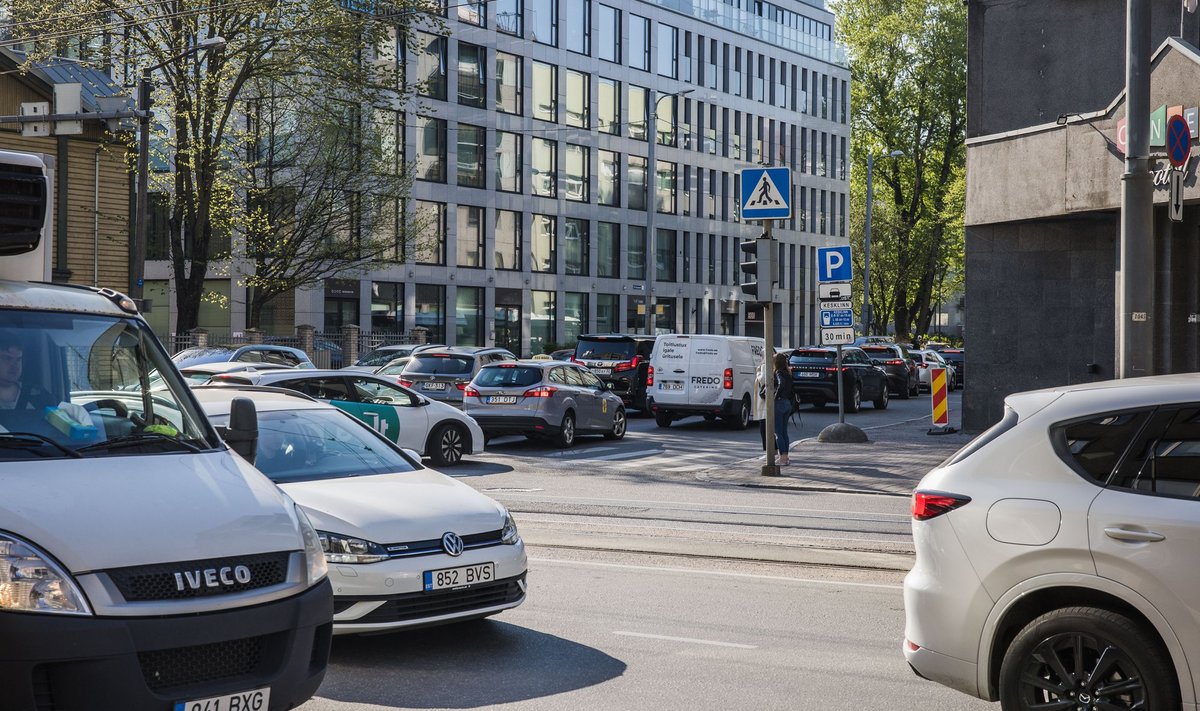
(77, 385)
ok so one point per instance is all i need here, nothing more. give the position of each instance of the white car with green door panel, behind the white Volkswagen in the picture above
(428, 427)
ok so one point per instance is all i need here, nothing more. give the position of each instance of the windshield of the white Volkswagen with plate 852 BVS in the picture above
(310, 445)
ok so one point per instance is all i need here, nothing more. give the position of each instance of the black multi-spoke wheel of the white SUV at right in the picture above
(1087, 659)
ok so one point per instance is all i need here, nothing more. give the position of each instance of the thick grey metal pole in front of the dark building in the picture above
(1136, 349)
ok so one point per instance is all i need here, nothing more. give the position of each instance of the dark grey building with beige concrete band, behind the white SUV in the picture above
(1046, 86)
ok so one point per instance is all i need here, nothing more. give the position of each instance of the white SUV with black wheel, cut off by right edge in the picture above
(1058, 558)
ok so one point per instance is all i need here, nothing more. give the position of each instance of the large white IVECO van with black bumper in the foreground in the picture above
(143, 565)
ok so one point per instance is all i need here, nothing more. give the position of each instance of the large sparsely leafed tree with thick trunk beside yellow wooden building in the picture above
(314, 51)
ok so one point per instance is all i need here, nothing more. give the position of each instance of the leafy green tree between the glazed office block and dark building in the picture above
(909, 94)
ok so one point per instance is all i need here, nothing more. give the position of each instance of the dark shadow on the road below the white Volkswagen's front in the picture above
(464, 666)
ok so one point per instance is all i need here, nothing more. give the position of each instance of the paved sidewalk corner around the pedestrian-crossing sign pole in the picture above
(892, 463)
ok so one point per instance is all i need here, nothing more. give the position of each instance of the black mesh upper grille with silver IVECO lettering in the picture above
(189, 579)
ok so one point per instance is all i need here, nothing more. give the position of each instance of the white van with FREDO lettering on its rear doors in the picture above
(707, 375)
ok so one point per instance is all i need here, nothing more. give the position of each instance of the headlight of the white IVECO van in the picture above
(31, 582)
